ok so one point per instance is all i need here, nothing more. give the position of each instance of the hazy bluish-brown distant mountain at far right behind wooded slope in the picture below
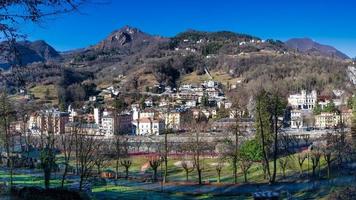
(311, 47)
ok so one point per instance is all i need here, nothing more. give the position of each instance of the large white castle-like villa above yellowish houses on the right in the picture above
(303, 101)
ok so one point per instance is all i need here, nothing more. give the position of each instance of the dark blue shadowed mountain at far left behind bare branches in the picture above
(29, 52)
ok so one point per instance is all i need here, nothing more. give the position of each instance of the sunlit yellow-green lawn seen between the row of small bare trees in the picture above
(255, 175)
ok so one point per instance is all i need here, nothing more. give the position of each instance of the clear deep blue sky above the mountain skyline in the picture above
(326, 21)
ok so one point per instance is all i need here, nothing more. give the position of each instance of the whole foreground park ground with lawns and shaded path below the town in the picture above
(140, 183)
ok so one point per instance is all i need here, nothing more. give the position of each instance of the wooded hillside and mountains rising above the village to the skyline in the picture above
(134, 60)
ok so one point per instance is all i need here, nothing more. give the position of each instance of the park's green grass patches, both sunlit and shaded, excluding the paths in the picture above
(176, 174)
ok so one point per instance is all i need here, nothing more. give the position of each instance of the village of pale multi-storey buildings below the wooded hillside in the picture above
(174, 108)
